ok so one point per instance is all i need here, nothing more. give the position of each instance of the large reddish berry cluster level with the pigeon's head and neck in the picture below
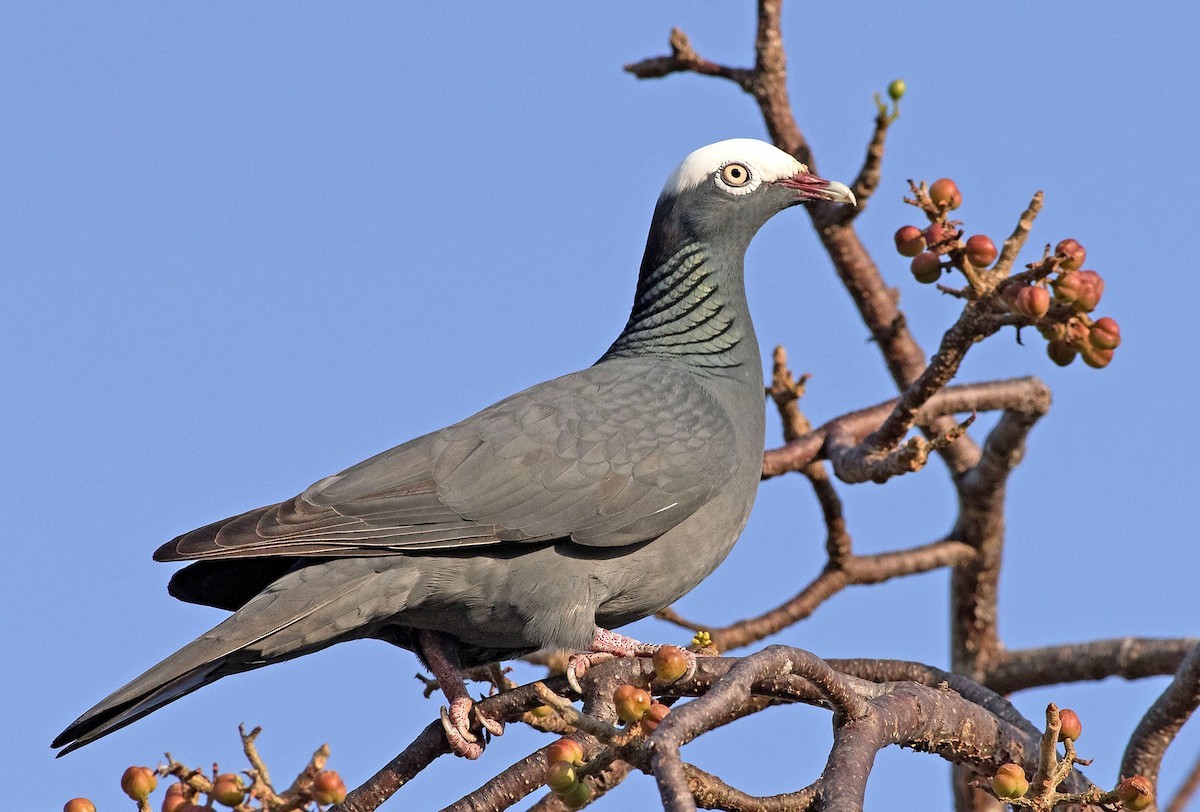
(1060, 308)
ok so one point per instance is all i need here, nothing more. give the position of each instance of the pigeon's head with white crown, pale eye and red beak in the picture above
(737, 185)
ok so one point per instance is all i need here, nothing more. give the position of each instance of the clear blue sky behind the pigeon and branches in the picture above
(245, 246)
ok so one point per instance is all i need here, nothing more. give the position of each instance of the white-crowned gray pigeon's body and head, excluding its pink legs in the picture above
(590, 501)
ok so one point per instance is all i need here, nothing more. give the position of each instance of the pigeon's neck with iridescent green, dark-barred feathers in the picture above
(691, 308)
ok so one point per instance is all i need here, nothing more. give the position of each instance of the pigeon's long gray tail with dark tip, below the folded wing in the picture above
(289, 619)
